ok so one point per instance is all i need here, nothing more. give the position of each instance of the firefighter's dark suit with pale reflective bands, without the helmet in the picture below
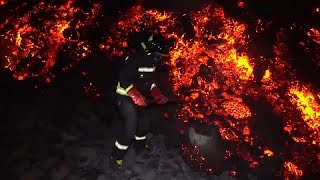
(136, 77)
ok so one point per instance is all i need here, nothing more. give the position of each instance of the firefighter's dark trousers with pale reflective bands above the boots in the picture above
(134, 126)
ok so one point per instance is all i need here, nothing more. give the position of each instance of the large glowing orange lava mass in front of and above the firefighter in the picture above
(213, 73)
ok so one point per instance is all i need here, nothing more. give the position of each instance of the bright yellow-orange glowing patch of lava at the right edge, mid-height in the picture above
(308, 105)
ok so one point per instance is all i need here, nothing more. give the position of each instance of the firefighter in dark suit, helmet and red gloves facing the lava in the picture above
(135, 83)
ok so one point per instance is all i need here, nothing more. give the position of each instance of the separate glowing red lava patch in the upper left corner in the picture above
(32, 40)
